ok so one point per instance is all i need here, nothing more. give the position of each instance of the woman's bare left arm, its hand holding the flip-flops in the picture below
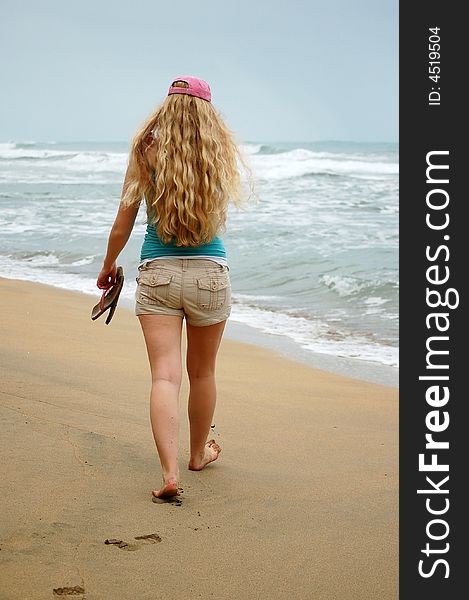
(118, 237)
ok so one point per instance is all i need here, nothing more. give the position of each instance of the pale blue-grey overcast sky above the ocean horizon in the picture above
(298, 70)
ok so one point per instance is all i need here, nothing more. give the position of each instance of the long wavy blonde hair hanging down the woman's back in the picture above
(184, 162)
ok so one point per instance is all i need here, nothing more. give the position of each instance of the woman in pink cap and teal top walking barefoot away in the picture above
(183, 163)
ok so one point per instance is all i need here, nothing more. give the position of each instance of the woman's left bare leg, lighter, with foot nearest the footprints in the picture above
(163, 339)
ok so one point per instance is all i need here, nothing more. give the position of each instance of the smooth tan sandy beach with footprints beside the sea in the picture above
(302, 503)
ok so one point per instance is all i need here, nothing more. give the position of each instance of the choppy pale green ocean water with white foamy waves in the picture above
(314, 261)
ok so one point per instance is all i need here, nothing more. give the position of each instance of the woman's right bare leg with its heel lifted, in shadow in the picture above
(202, 348)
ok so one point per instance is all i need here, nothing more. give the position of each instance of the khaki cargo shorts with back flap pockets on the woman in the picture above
(197, 288)
